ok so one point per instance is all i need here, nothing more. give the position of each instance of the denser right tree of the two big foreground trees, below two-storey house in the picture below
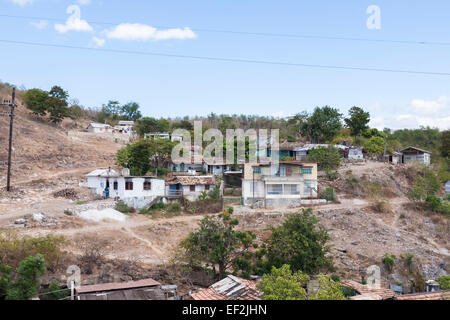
(299, 242)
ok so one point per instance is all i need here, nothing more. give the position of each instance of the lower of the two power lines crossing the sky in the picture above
(220, 59)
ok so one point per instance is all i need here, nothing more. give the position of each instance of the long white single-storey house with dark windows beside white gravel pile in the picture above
(135, 191)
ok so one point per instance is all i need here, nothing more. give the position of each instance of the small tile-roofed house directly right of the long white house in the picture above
(189, 187)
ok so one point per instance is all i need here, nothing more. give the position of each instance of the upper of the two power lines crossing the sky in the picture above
(259, 34)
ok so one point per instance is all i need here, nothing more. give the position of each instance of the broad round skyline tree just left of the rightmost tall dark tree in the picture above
(323, 124)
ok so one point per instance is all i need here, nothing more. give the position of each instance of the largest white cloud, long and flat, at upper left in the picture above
(141, 32)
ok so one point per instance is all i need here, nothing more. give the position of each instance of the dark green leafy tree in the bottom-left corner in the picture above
(27, 284)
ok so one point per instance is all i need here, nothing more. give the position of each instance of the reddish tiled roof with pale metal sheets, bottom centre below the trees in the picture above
(229, 288)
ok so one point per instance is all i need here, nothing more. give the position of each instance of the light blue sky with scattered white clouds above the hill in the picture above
(168, 86)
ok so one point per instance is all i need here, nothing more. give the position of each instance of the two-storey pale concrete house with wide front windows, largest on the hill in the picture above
(281, 185)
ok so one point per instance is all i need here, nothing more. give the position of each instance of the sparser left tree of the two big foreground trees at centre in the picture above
(217, 245)
